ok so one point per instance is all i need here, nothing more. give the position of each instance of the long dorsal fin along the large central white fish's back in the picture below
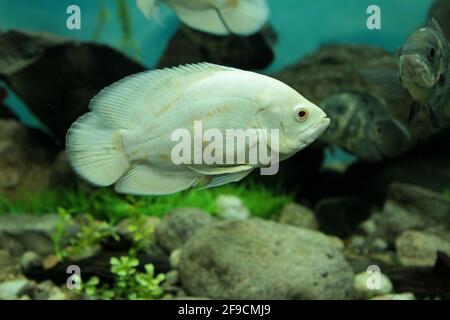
(120, 104)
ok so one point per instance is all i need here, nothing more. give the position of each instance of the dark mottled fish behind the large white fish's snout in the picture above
(361, 124)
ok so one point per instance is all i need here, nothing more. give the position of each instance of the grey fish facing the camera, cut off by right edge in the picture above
(424, 70)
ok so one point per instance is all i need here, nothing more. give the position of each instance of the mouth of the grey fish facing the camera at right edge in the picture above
(416, 69)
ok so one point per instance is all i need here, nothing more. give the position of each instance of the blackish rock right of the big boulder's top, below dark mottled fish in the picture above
(340, 216)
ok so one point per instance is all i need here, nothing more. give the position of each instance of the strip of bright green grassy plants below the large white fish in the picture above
(261, 200)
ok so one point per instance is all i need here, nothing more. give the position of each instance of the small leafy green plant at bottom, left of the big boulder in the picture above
(129, 283)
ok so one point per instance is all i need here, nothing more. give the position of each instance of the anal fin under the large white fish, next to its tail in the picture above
(144, 180)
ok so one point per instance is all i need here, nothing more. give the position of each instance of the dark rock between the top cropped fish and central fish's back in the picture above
(191, 46)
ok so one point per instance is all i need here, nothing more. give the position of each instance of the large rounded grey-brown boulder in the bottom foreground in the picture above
(259, 259)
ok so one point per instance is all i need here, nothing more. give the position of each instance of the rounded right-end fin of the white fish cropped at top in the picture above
(247, 17)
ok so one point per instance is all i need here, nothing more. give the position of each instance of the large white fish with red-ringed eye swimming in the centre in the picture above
(126, 138)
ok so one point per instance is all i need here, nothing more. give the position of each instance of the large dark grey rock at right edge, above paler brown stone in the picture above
(410, 207)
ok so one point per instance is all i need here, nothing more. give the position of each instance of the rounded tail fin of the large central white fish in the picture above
(95, 151)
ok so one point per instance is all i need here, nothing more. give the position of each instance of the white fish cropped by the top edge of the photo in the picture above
(219, 17)
